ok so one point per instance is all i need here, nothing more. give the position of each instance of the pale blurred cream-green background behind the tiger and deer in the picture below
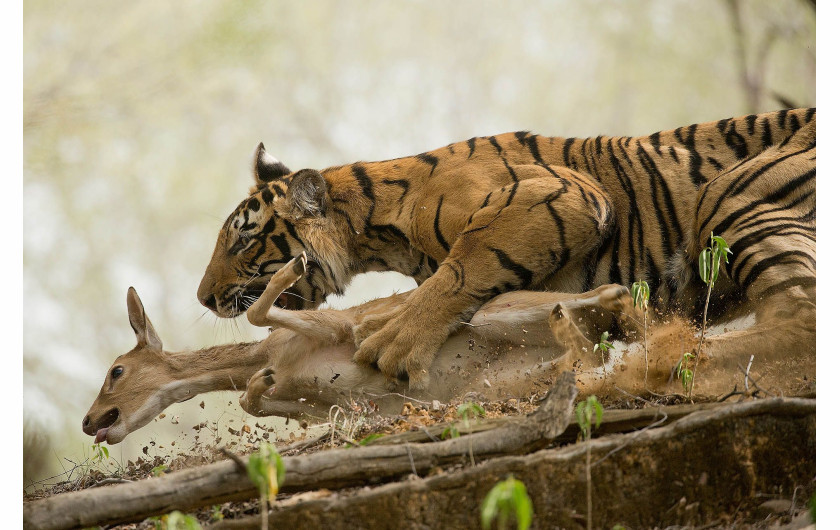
(140, 119)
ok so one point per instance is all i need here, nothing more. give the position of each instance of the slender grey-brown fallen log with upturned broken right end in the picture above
(224, 481)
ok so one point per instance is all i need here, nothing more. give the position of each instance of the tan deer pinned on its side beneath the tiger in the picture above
(305, 365)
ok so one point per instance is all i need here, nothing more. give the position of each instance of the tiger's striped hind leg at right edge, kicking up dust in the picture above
(765, 209)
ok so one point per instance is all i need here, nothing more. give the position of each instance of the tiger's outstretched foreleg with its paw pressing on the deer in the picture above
(488, 257)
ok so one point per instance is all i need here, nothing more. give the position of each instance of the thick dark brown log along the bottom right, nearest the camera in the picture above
(697, 471)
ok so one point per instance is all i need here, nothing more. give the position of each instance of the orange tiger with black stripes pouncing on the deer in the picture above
(518, 210)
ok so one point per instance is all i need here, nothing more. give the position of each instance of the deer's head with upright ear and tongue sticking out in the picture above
(138, 385)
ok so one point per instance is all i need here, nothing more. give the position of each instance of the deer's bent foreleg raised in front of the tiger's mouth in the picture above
(326, 326)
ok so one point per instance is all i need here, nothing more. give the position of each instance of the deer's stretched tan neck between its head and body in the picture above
(225, 367)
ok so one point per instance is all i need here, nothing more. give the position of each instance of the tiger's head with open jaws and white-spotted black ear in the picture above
(285, 214)
